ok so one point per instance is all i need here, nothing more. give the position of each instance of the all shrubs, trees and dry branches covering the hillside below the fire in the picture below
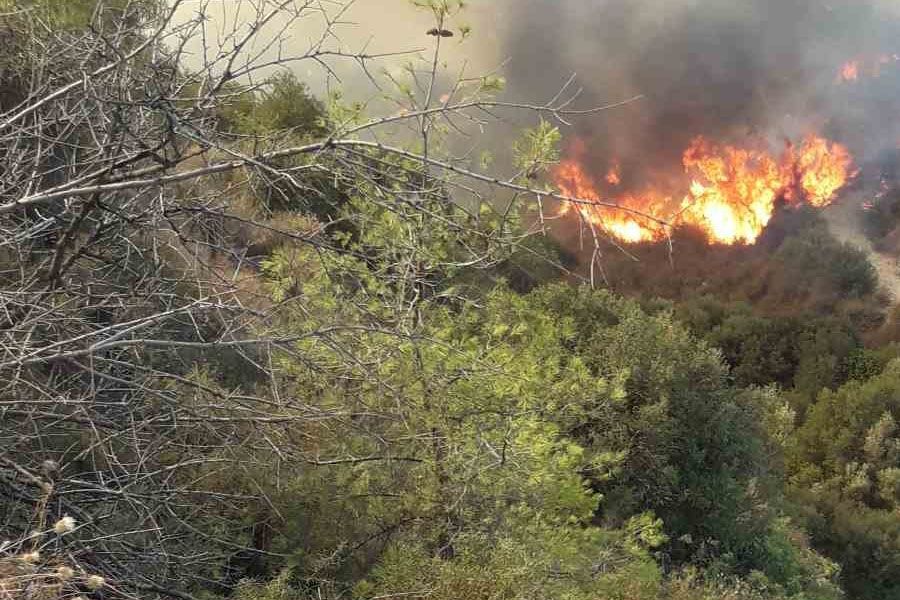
(262, 345)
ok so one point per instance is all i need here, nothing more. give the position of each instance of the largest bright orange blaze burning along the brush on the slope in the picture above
(732, 193)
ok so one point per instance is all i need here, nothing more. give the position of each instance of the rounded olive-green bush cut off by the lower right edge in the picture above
(844, 467)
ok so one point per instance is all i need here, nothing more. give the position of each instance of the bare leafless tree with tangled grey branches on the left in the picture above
(148, 199)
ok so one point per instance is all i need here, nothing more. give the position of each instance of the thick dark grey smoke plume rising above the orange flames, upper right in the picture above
(725, 69)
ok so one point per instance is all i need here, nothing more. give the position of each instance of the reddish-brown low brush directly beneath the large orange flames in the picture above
(796, 269)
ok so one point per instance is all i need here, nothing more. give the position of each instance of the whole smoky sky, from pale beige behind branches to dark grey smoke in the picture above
(721, 68)
